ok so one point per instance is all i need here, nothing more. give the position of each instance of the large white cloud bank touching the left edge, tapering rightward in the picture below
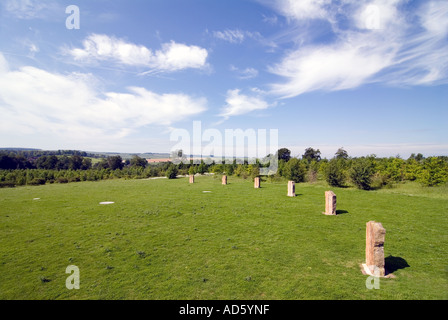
(36, 102)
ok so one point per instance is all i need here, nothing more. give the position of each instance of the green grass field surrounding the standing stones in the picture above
(167, 239)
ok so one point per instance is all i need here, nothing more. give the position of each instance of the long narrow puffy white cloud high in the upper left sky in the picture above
(172, 56)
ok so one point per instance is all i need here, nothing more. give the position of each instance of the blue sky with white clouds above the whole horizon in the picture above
(369, 76)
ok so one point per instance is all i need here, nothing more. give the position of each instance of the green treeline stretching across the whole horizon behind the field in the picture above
(36, 167)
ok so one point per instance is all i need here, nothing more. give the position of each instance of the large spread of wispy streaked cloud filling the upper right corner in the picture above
(370, 41)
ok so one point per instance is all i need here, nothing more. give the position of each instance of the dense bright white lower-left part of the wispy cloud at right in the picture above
(336, 67)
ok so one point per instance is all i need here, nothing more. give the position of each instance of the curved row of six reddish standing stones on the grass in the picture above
(375, 233)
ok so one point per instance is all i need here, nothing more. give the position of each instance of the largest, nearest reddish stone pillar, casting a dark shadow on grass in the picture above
(375, 234)
